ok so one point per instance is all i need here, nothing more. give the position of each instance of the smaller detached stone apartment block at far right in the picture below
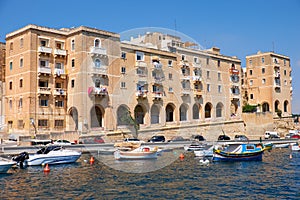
(268, 83)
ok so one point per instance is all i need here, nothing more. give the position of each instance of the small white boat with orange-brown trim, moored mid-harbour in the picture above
(136, 152)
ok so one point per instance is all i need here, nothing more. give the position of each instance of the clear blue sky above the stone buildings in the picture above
(238, 27)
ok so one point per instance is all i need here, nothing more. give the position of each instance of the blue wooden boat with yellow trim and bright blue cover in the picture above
(238, 152)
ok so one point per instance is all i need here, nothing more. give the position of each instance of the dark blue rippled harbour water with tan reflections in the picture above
(276, 177)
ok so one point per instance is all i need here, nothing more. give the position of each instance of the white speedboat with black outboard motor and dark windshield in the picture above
(52, 154)
